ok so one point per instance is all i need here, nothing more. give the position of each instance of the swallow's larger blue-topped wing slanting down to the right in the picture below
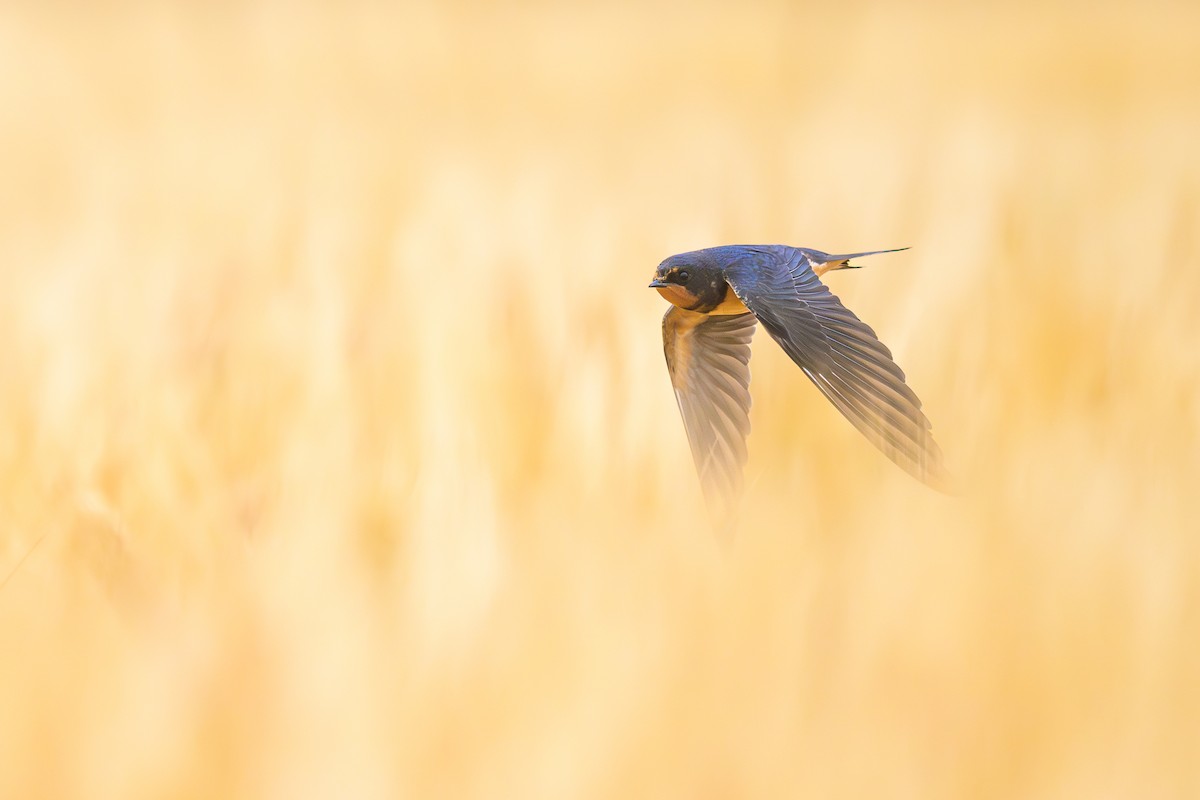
(842, 356)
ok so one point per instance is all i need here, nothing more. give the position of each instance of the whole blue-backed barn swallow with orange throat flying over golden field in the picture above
(718, 296)
